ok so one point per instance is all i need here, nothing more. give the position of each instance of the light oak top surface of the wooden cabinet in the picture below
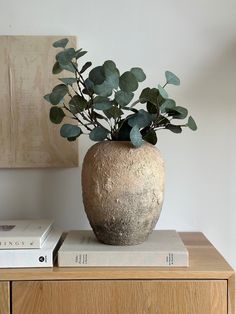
(205, 262)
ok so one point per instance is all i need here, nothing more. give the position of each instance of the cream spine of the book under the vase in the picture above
(93, 259)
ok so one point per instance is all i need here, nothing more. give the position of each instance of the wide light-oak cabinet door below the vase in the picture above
(120, 297)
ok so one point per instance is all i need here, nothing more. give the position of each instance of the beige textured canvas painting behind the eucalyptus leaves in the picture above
(27, 137)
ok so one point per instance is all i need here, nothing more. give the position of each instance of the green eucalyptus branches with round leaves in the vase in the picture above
(102, 105)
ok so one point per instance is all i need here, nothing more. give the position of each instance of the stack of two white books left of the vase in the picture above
(28, 243)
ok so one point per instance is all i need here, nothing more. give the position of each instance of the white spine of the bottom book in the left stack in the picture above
(24, 258)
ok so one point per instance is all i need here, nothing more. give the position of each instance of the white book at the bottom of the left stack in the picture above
(23, 258)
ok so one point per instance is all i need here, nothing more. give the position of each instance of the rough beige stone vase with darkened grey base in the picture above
(123, 191)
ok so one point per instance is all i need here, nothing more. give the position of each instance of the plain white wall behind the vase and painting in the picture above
(194, 39)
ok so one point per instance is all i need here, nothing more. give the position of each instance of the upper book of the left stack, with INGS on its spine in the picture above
(23, 234)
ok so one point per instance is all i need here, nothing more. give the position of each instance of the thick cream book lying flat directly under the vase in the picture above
(163, 248)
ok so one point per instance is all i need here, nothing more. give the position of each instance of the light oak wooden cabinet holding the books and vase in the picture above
(206, 287)
